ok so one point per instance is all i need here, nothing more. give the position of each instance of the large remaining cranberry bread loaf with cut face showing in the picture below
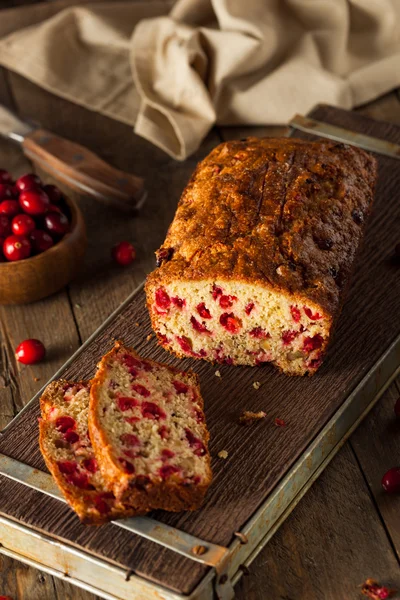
(256, 262)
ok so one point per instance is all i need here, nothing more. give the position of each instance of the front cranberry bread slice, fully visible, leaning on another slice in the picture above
(147, 426)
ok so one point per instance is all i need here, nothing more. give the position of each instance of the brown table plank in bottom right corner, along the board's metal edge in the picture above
(329, 545)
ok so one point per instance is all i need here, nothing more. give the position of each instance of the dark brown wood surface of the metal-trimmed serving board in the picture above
(258, 456)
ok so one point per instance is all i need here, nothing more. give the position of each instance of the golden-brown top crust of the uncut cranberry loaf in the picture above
(285, 213)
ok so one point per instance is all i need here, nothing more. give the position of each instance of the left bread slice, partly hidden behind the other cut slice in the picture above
(69, 455)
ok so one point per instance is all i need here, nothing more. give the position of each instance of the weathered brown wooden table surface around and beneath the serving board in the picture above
(345, 529)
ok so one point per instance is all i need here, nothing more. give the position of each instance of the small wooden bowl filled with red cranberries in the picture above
(36, 260)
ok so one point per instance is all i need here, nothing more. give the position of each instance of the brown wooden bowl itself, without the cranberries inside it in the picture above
(42, 275)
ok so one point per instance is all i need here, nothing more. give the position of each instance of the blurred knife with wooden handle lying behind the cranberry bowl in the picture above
(75, 165)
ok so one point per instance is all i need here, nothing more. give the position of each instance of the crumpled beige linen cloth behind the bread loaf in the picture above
(174, 69)
